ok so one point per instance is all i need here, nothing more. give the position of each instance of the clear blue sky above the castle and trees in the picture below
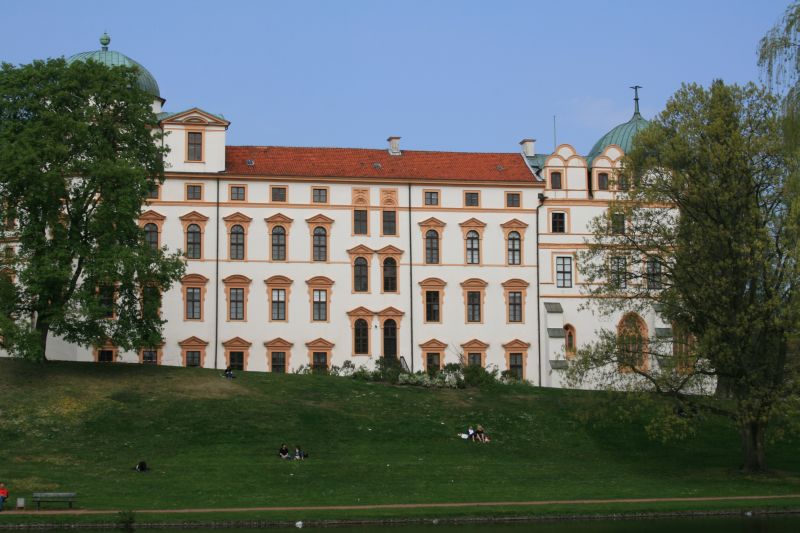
(473, 76)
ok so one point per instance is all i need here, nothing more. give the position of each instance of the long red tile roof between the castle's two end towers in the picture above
(365, 163)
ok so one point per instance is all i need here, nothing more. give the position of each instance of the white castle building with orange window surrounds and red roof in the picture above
(310, 257)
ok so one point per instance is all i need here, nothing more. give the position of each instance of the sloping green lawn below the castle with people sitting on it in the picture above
(213, 442)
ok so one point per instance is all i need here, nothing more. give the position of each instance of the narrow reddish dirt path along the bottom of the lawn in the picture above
(405, 505)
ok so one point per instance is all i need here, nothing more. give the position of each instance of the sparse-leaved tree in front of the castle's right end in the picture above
(708, 234)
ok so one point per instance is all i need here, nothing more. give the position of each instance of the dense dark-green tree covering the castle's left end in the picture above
(79, 150)
